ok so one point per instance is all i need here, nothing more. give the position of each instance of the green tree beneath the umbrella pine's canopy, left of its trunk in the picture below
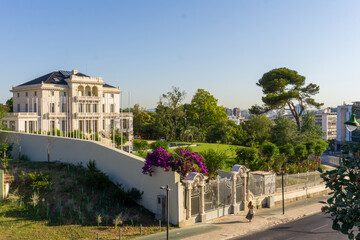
(284, 131)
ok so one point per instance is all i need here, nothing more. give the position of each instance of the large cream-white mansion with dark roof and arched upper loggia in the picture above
(68, 101)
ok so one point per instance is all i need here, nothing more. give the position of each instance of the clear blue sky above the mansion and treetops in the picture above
(146, 47)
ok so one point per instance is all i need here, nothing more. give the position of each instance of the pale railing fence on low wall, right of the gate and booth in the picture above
(298, 181)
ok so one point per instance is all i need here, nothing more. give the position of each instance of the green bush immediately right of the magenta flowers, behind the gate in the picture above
(214, 161)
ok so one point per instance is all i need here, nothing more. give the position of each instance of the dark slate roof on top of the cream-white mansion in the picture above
(57, 77)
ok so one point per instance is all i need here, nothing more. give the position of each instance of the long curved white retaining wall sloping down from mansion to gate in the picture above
(120, 166)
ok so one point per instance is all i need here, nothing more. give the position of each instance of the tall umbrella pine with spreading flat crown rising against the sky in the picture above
(285, 89)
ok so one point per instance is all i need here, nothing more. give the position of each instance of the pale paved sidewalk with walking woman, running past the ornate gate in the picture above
(236, 225)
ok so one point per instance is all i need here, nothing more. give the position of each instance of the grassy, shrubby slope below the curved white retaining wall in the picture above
(69, 202)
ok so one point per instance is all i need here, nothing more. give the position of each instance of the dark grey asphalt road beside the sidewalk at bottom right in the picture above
(317, 227)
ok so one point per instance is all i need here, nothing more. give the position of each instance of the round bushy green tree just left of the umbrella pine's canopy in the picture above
(258, 130)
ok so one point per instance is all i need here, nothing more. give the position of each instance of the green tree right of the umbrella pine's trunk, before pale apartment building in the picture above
(309, 129)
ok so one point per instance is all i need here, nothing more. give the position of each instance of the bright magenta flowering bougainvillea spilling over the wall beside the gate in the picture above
(182, 161)
